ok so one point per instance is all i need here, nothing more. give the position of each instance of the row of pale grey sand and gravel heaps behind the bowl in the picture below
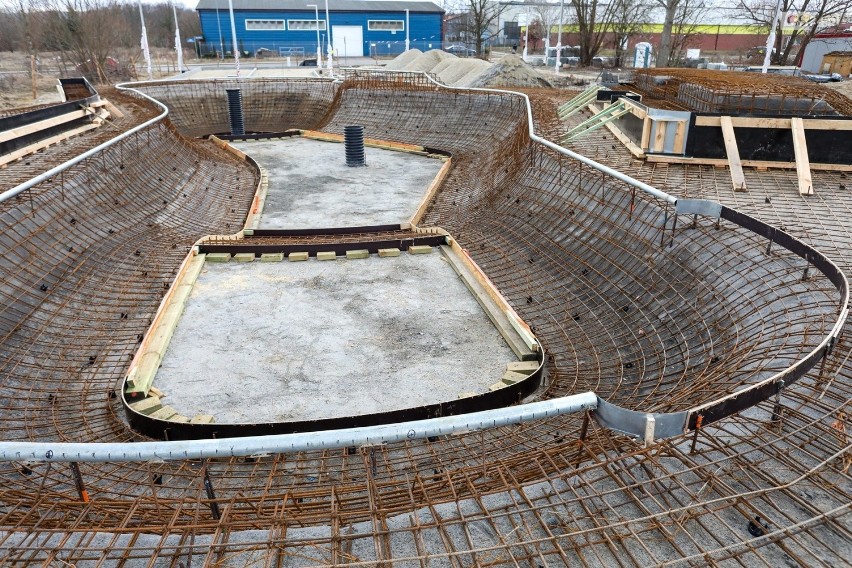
(450, 70)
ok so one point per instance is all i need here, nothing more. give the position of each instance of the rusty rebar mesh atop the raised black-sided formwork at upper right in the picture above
(732, 92)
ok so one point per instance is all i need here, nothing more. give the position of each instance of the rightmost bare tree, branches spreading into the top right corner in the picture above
(809, 16)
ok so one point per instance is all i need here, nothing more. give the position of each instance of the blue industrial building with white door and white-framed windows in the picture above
(289, 27)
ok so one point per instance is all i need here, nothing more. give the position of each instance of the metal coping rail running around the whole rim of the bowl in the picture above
(644, 425)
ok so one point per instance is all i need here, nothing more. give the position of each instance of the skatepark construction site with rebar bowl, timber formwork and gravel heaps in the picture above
(433, 314)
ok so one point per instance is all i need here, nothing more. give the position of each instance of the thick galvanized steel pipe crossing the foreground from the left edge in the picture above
(304, 441)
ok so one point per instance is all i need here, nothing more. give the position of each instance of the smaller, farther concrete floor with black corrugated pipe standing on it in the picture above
(310, 185)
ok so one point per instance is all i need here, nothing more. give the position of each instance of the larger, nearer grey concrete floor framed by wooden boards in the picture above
(289, 341)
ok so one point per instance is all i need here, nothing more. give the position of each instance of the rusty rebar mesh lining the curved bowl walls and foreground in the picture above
(707, 310)
